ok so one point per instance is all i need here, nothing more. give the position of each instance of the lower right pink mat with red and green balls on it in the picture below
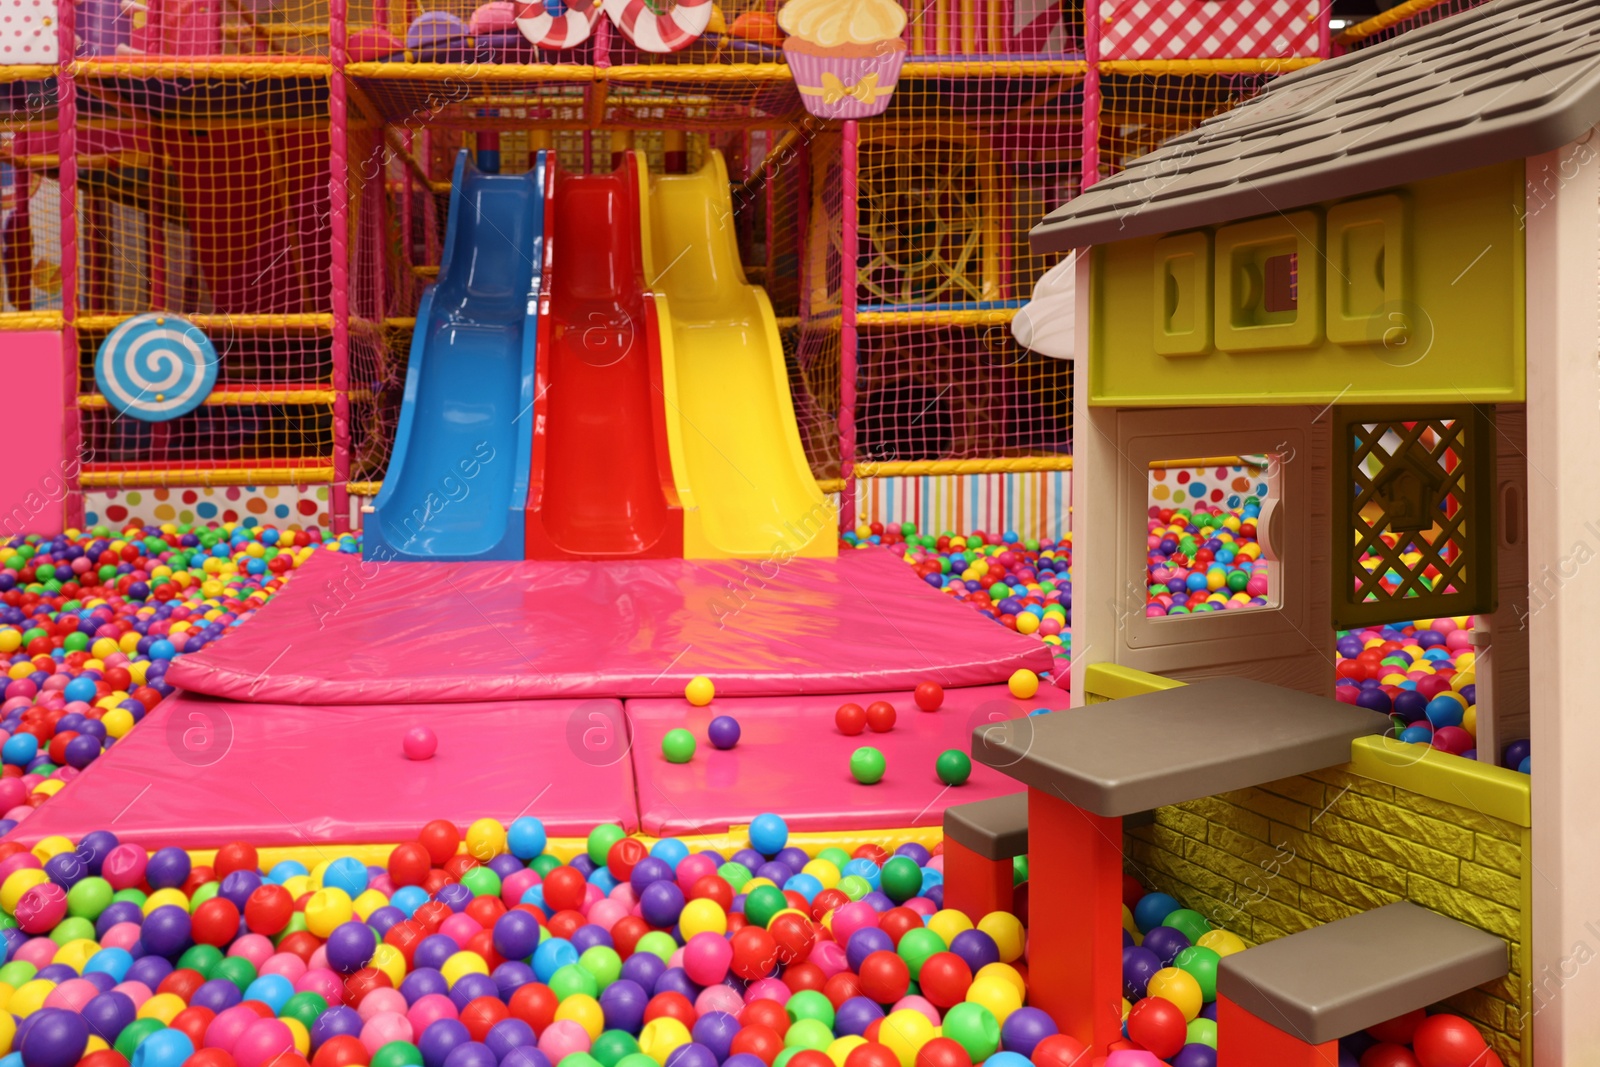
(793, 761)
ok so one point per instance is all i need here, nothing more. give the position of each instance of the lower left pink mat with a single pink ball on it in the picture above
(201, 773)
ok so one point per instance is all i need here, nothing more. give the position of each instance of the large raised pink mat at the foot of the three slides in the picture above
(348, 631)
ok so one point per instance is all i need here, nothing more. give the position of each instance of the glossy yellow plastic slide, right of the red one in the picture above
(737, 457)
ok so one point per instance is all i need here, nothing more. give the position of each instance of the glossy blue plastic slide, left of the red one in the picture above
(458, 481)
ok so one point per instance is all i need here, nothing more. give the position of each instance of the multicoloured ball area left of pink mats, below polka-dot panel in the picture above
(90, 621)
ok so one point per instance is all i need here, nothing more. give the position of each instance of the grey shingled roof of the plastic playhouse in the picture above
(1506, 81)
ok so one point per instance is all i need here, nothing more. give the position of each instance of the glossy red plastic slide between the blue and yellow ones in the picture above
(602, 478)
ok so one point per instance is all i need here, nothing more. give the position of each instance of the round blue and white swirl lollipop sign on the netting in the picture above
(156, 367)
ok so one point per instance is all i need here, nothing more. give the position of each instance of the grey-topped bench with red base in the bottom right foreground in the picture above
(1286, 1004)
